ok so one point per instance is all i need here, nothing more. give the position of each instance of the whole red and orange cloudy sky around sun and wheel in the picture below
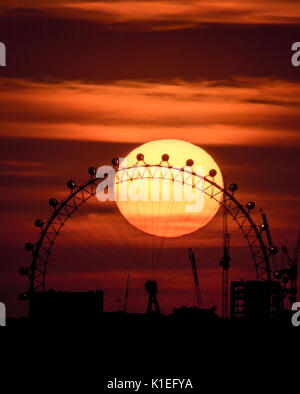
(87, 81)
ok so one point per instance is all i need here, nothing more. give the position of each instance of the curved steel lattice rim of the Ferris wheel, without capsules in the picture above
(81, 194)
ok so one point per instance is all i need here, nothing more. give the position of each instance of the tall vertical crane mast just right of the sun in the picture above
(225, 263)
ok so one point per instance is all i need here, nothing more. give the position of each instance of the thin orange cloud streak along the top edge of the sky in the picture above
(168, 14)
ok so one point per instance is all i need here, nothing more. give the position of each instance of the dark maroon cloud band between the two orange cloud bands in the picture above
(45, 47)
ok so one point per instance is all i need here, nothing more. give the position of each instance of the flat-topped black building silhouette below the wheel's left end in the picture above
(56, 307)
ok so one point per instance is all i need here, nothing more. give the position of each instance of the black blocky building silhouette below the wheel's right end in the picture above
(256, 300)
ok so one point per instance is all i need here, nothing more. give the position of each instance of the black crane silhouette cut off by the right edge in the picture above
(291, 273)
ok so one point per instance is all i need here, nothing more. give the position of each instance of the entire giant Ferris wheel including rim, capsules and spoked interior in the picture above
(81, 227)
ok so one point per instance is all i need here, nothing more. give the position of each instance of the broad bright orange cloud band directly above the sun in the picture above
(264, 111)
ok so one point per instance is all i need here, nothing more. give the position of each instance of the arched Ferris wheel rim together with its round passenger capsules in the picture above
(76, 201)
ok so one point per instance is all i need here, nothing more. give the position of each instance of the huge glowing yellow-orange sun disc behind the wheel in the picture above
(164, 200)
